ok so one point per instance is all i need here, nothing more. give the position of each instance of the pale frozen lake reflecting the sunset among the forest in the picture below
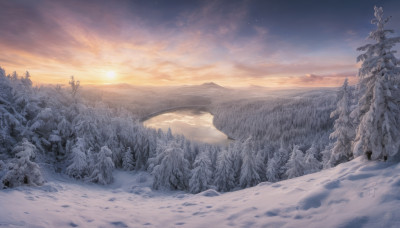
(193, 124)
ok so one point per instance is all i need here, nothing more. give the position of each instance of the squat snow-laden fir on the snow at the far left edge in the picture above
(22, 170)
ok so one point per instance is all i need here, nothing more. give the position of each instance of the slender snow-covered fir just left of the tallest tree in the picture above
(343, 128)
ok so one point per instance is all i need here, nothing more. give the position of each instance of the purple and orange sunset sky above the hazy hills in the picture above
(273, 43)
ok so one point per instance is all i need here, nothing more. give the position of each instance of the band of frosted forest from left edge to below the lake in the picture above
(87, 141)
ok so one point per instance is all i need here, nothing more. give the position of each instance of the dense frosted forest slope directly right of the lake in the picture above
(279, 121)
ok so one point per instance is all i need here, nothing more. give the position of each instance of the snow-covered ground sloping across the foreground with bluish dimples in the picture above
(353, 194)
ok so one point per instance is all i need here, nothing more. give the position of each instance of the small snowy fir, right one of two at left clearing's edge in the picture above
(102, 172)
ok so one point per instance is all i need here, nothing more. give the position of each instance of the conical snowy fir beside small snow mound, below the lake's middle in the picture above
(200, 177)
